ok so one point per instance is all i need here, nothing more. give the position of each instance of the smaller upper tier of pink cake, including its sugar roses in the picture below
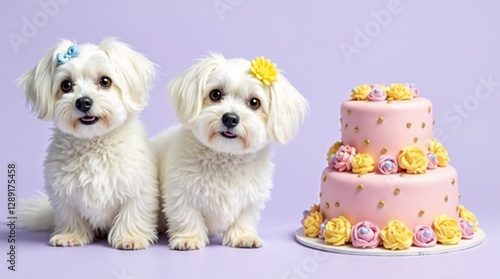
(386, 130)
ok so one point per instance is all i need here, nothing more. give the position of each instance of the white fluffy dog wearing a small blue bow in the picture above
(99, 171)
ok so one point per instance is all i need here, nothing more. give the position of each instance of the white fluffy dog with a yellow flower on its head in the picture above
(215, 169)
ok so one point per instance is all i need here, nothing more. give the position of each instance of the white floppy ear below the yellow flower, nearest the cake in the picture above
(287, 110)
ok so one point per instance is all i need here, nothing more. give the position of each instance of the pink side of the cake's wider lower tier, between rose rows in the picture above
(413, 199)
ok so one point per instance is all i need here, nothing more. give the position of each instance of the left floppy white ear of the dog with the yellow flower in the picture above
(186, 91)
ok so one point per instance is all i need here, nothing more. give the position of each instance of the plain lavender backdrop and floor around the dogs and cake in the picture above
(448, 49)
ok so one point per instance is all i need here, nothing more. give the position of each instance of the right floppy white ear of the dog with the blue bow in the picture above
(134, 69)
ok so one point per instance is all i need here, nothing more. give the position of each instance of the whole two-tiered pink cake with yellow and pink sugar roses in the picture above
(388, 182)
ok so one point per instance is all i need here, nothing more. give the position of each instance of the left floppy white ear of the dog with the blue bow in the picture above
(38, 83)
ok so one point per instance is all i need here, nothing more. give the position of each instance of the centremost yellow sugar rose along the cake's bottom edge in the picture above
(396, 236)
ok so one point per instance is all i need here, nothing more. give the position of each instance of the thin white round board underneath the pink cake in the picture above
(319, 244)
